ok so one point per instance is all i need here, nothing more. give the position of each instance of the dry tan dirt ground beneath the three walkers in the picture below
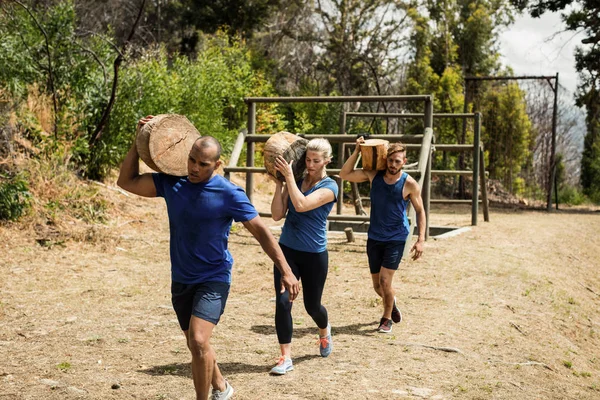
(508, 309)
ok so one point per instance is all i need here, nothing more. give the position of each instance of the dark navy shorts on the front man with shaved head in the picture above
(204, 300)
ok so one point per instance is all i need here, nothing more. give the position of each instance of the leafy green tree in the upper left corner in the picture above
(41, 47)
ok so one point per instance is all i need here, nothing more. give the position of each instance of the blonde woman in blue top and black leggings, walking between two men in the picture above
(305, 204)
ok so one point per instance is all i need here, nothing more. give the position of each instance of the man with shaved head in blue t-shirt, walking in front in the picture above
(201, 209)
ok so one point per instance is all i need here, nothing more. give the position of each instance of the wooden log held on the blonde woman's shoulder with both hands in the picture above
(291, 147)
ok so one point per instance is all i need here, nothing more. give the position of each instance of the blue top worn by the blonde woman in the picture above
(307, 231)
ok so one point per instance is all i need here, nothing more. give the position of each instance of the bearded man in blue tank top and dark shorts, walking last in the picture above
(391, 192)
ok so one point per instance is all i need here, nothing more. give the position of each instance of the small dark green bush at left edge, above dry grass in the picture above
(14, 197)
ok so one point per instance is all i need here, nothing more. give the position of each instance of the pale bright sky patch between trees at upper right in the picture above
(532, 47)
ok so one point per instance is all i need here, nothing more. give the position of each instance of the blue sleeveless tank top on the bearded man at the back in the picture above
(388, 221)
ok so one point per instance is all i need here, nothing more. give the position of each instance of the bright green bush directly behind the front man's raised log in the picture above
(208, 90)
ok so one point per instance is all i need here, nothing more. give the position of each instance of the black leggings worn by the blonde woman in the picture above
(311, 269)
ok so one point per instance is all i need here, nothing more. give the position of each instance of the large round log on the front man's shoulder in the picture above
(164, 143)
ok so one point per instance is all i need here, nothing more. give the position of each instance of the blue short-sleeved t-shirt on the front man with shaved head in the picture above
(200, 217)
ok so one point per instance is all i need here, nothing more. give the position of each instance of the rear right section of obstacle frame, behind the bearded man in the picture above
(476, 148)
